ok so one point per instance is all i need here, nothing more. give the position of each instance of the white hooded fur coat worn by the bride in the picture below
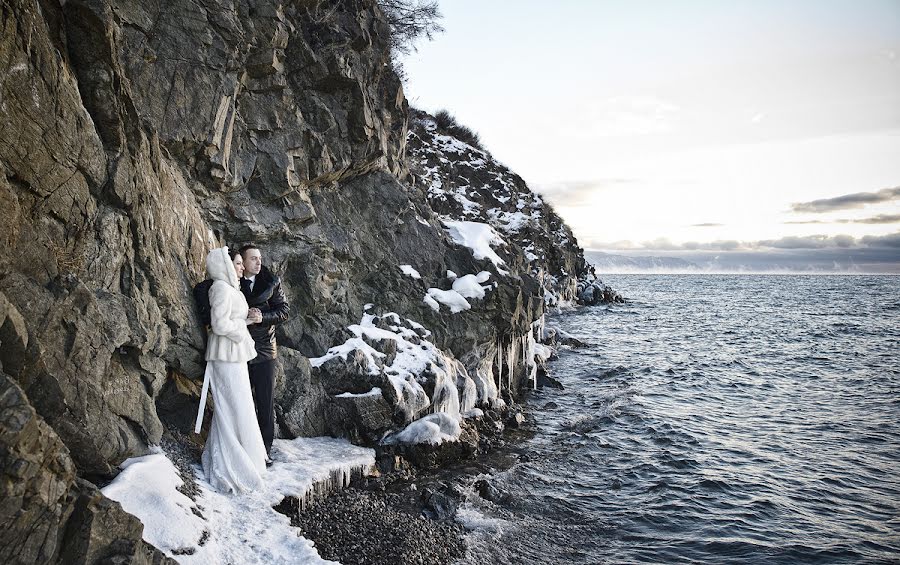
(229, 339)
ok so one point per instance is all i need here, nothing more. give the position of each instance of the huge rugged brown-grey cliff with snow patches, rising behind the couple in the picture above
(136, 135)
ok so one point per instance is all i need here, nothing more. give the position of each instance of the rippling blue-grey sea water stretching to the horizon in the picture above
(711, 419)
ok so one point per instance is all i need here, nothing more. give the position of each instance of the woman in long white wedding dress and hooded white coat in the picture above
(235, 456)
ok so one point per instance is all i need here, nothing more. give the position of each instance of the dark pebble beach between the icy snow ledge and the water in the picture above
(405, 516)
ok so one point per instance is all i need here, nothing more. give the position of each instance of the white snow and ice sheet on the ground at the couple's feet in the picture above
(240, 528)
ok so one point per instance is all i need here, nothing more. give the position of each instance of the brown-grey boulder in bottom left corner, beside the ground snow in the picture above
(49, 515)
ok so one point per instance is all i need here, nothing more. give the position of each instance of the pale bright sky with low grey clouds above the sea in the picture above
(668, 126)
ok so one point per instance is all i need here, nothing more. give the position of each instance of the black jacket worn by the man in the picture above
(269, 298)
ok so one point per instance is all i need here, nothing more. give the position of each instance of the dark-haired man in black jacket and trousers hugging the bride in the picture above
(268, 307)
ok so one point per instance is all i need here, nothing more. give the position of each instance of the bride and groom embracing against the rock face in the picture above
(246, 301)
